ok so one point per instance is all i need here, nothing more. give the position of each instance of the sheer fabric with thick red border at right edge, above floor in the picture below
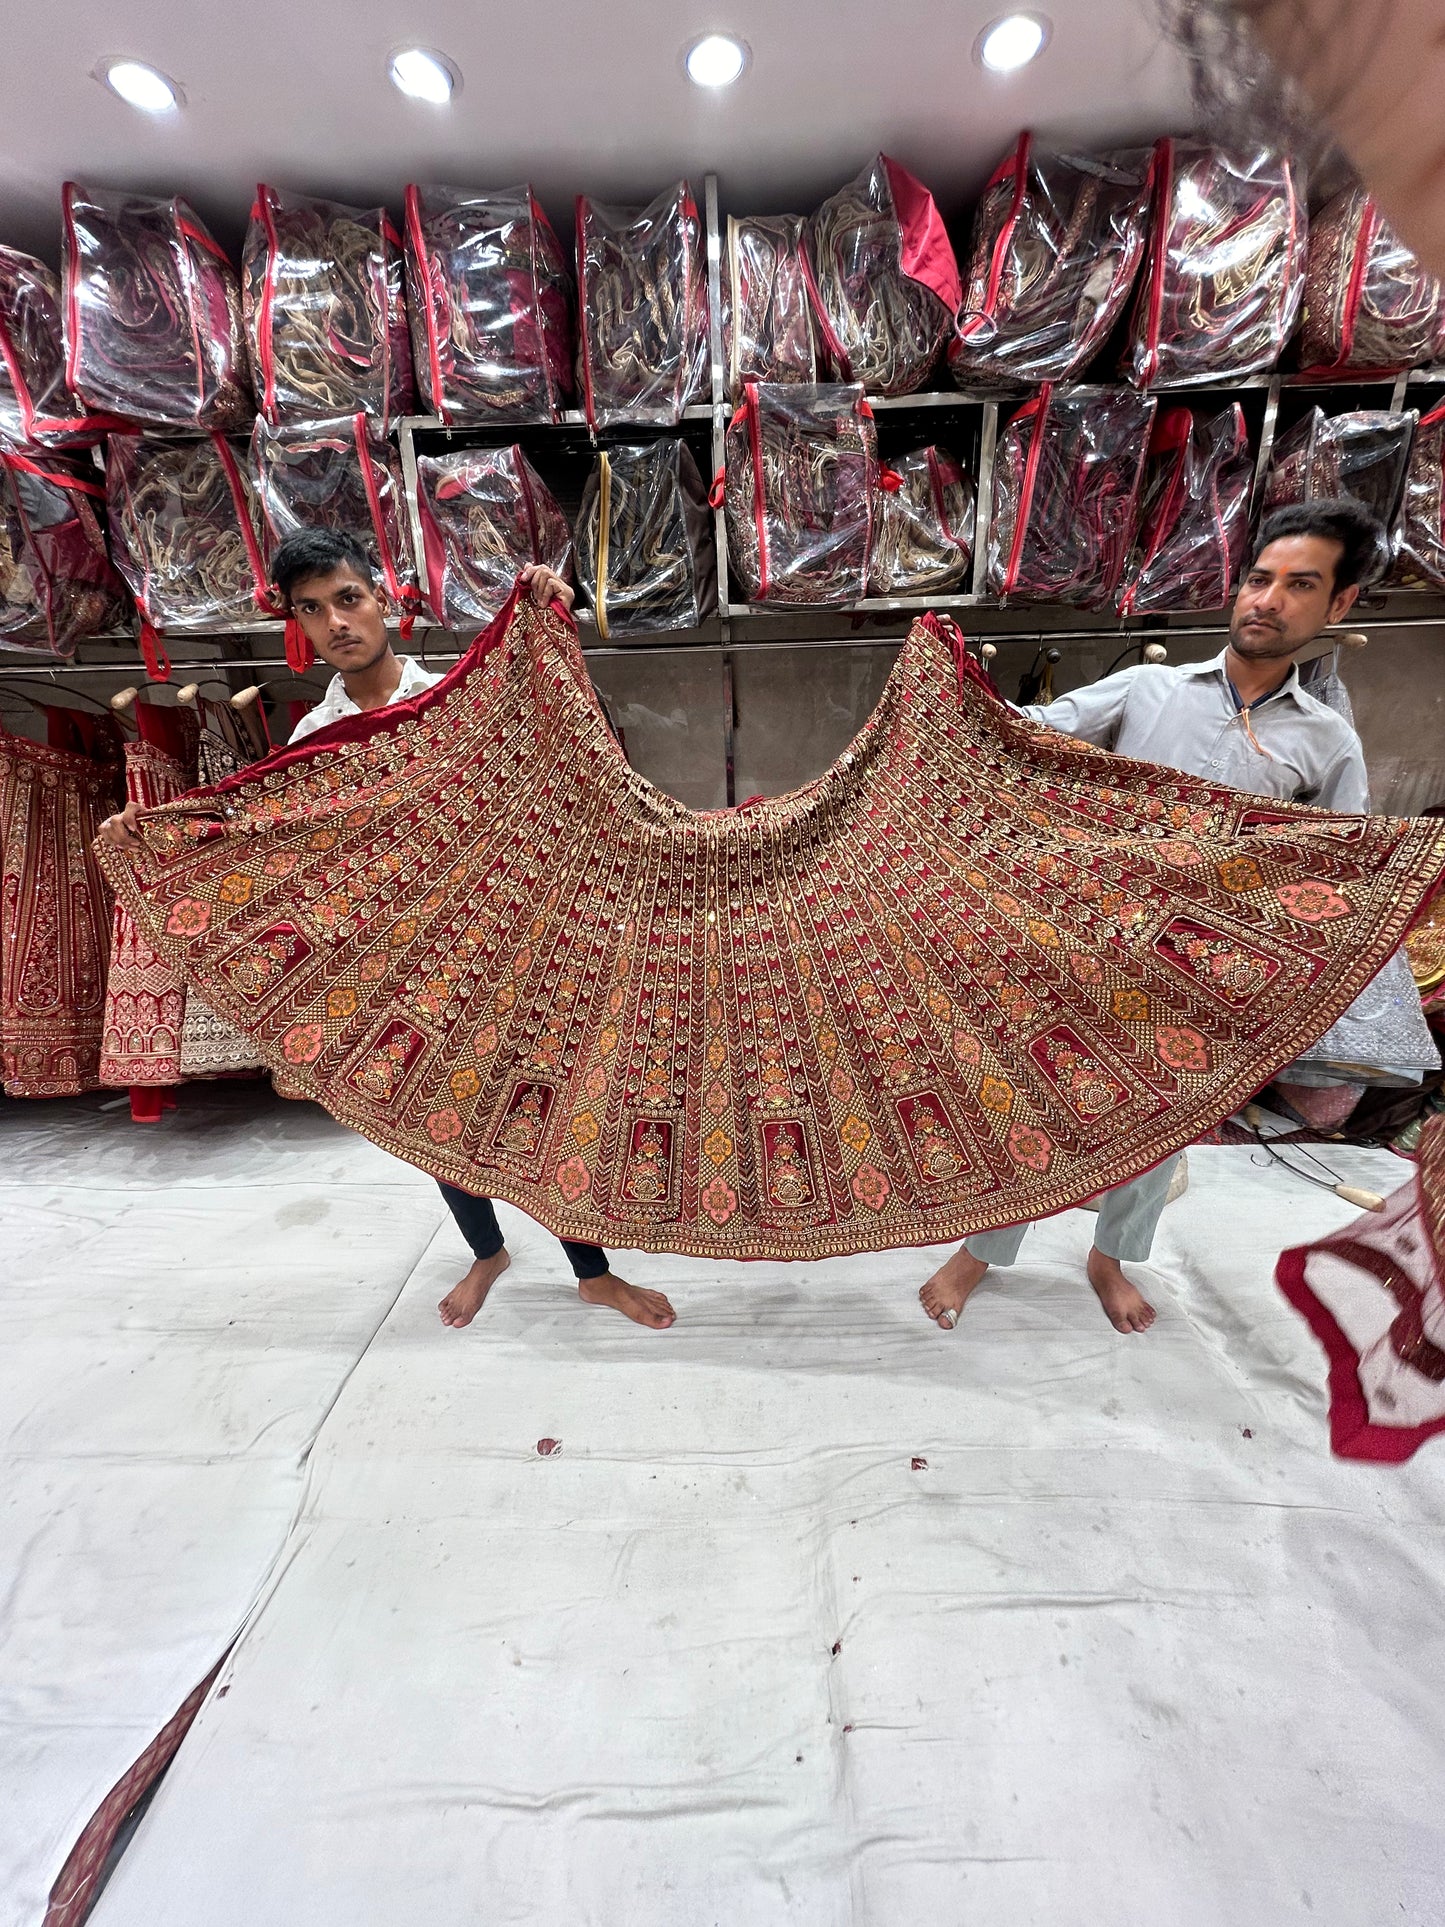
(1375, 1296)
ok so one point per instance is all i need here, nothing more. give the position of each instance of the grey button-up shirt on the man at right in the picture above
(1186, 718)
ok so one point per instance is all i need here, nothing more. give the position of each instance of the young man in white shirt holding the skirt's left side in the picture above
(328, 587)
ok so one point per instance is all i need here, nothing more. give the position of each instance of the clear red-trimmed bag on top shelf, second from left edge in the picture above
(151, 315)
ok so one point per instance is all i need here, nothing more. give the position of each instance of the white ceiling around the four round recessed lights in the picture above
(567, 95)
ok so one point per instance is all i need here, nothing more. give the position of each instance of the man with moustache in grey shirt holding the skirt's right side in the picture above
(1240, 720)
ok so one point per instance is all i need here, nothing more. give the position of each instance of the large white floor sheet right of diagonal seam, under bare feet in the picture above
(824, 1618)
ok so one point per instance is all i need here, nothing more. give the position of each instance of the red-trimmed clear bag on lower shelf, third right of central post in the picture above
(1066, 496)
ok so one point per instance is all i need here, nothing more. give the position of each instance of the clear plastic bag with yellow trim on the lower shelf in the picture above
(644, 541)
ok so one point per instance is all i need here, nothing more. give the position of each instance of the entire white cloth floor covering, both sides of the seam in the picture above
(818, 1616)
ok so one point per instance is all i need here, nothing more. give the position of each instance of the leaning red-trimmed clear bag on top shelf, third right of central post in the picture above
(1057, 251)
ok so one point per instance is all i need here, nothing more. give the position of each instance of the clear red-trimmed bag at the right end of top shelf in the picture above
(1369, 304)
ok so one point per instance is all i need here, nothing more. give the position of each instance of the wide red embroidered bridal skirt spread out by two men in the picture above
(974, 974)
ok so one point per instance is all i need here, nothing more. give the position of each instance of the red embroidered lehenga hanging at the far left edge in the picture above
(55, 905)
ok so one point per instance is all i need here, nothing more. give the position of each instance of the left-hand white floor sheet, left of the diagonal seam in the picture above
(178, 1309)
